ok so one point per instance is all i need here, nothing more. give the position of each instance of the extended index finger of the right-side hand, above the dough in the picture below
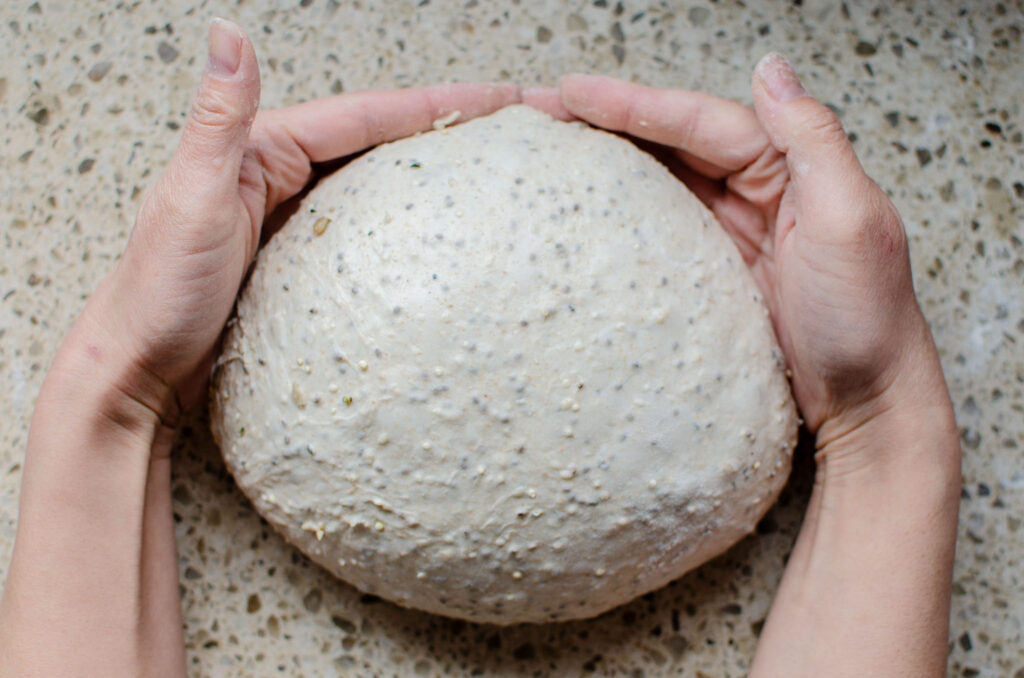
(724, 135)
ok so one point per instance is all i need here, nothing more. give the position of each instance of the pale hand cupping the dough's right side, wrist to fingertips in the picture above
(821, 238)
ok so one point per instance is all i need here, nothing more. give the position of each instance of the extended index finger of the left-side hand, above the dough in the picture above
(342, 125)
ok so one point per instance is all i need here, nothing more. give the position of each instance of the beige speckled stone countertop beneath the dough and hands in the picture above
(93, 97)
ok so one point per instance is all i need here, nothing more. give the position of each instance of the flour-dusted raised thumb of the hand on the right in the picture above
(822, 161)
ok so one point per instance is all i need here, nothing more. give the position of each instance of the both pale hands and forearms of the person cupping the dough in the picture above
(93, 588)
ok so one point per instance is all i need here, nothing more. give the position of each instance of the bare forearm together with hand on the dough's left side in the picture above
(98, 468)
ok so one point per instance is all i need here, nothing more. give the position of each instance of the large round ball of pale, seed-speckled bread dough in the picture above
(511, 371)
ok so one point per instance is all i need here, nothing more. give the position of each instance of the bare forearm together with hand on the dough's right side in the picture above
(867, 588)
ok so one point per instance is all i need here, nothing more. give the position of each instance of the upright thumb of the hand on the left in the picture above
(216, 136)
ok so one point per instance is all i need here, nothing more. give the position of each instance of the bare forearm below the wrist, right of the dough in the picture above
(867, 589)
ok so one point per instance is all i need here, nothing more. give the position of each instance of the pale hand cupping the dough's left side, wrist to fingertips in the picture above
(199, 228)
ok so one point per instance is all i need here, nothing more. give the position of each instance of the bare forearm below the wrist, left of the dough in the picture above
(94, 561)
